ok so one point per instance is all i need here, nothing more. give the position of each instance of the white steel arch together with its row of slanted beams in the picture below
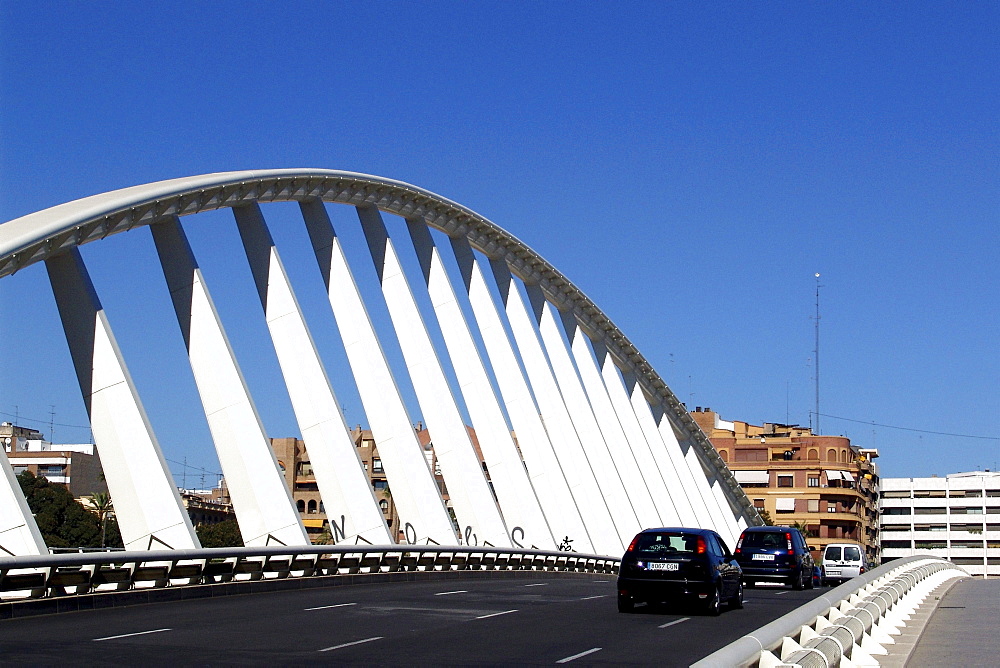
(651, 461)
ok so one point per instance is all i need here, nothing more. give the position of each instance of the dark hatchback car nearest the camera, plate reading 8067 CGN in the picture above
(679, 565)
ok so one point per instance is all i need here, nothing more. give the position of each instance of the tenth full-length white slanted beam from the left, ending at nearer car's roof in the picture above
(619, 447)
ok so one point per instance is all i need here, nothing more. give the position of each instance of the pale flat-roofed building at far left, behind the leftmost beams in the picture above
(75, 465)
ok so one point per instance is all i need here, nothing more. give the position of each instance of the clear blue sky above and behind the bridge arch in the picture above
(689, 167)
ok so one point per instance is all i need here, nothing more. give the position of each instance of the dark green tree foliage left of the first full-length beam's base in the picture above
(62, 521)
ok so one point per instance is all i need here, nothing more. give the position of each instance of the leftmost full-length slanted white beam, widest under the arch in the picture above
(148, 508)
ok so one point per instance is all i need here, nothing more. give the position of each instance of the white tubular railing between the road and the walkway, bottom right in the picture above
(848, 625)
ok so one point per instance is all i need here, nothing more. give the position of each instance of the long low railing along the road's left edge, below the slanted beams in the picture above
(82, 573)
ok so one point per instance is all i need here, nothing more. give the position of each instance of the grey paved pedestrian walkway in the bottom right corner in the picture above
(961, 630)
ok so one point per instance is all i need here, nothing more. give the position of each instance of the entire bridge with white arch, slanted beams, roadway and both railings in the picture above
(580, 438)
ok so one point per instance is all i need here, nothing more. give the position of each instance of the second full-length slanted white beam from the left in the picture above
(263, 503)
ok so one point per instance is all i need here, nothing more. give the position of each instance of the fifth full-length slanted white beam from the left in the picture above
(475, 508)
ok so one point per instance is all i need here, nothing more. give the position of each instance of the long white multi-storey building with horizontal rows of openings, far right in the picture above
(956, 517)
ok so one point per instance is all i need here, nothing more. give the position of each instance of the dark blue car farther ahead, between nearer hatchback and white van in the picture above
(775, 554)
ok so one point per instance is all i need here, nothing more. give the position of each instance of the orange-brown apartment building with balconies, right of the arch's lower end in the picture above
(822, 484)
